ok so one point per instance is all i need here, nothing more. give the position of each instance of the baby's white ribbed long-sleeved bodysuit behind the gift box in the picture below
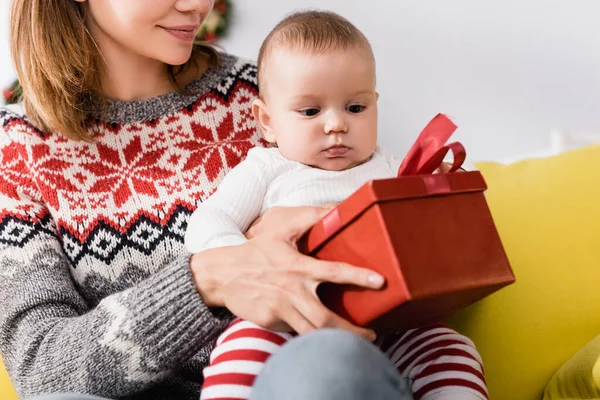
(266, 179)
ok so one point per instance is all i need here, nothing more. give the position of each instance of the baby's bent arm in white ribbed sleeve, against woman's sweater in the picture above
(222, 219)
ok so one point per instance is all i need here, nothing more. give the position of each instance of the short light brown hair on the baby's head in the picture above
(314, 32)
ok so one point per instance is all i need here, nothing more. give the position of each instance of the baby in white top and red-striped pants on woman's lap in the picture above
(318, 105)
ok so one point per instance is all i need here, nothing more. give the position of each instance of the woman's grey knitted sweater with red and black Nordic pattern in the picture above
(96, 293)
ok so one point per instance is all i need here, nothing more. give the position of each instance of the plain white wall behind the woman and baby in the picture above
(509, 71)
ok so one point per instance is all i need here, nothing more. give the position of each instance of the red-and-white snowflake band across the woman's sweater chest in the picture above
(146, 169)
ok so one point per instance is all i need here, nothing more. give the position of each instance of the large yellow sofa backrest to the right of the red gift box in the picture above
(547, 212)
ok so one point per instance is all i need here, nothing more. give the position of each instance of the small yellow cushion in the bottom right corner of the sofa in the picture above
(579, 378)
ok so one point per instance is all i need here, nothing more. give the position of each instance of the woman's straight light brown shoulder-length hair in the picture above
(58, 63)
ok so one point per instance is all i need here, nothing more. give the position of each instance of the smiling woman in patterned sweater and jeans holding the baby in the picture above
(98, 180)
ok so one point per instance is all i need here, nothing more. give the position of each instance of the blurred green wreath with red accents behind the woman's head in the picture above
(214, 27)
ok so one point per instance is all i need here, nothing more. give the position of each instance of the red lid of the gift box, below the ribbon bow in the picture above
(385, 190)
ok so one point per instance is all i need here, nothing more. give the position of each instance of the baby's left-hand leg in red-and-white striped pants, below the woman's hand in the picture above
(238, 356)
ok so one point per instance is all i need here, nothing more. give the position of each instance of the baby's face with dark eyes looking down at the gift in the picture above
(322, 108)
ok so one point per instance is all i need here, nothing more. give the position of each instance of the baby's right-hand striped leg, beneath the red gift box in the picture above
(438, 362)
